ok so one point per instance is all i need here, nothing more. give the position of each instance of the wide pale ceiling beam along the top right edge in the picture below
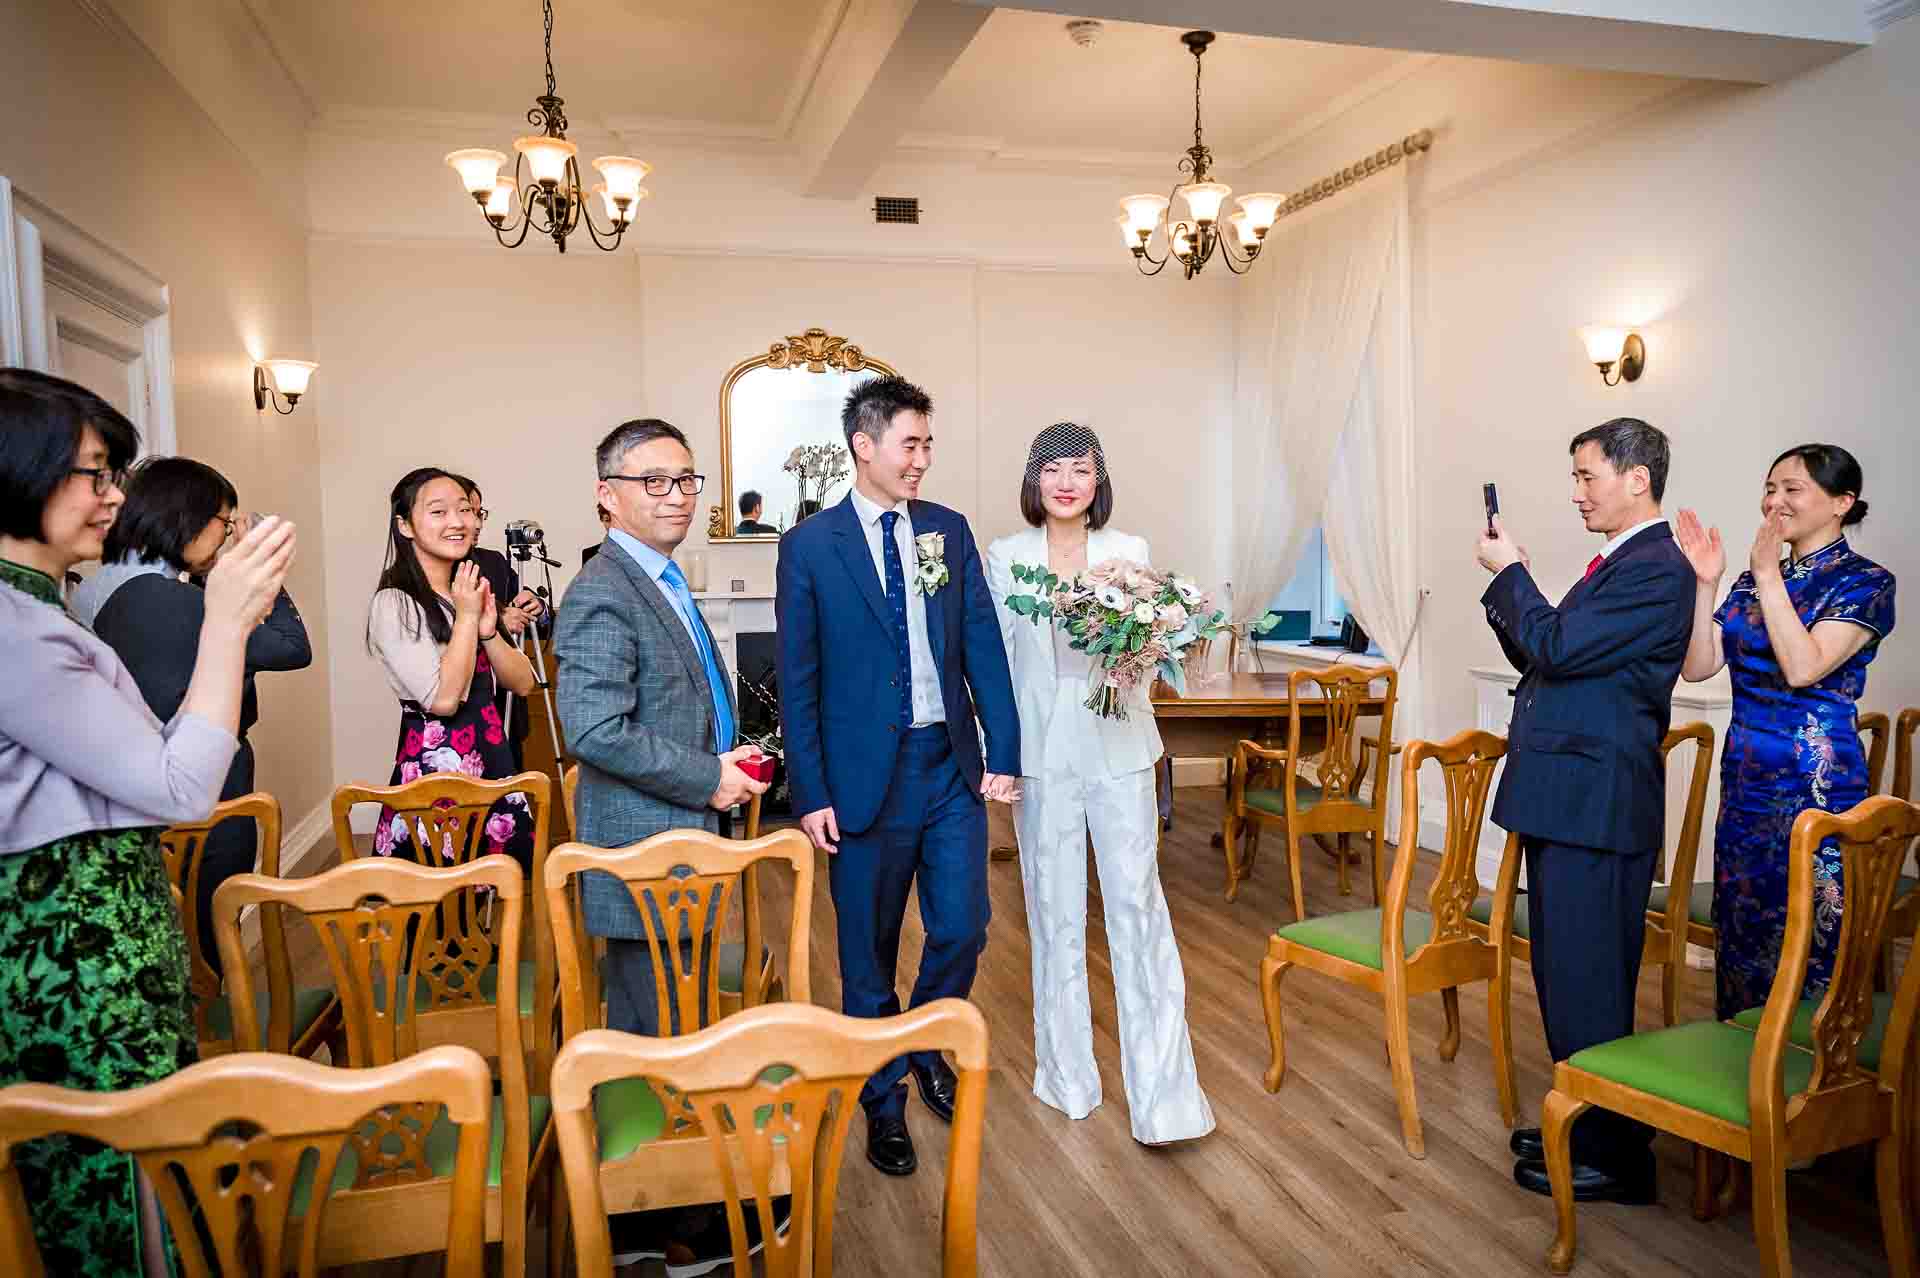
(1748, 41)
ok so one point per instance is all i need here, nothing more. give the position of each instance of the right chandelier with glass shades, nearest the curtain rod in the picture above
(1195, 239)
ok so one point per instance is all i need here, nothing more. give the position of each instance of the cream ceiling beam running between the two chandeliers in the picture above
(880, 68)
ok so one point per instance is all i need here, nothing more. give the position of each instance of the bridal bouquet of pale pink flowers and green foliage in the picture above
(1134, 623)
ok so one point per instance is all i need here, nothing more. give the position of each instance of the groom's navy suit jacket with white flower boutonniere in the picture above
(840, 705)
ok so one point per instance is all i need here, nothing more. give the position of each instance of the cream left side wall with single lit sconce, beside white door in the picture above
(103, 135)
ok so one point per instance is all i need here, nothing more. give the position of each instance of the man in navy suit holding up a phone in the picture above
(1585, 786)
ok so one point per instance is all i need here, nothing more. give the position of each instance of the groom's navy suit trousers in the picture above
(934, 828)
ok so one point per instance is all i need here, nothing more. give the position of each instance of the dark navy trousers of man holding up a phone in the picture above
(1589, 920)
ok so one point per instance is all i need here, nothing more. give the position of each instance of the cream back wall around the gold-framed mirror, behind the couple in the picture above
(514, 366)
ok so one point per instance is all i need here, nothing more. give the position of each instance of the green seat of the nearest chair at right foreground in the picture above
(1700, 1066)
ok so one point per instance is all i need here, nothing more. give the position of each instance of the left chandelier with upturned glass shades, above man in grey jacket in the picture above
(554, 202)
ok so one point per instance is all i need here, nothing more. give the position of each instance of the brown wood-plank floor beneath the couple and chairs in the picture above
(1310, 1181)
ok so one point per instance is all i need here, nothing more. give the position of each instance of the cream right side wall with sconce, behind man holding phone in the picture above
(1760, 239)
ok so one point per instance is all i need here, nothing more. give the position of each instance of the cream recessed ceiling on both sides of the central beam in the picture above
(742, 68)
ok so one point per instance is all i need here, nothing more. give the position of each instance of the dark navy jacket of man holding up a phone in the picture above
(1596, 696)
